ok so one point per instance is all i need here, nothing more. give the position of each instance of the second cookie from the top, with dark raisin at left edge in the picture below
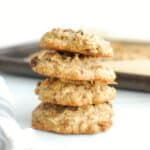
(70, 66)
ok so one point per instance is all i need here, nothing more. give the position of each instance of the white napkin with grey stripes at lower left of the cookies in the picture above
(12, 137)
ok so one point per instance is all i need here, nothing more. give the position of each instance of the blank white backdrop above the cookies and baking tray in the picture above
(25, 20)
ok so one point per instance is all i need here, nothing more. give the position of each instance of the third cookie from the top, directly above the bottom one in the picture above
(74, 93)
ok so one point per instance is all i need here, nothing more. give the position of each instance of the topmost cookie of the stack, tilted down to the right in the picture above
(77, 42)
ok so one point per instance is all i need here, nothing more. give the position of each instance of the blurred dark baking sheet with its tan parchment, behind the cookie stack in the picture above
(13, 59)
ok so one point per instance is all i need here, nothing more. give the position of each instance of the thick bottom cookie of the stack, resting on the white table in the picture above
(72, 120)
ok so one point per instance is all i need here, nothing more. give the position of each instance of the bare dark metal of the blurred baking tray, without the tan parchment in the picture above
(13, 60)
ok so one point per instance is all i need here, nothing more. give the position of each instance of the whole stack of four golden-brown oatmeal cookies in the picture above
(76, 98)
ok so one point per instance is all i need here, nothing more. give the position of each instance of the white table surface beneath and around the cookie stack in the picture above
(130, 130)
